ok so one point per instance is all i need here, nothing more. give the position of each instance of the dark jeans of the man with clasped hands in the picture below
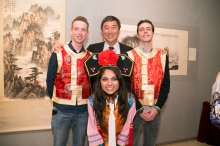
(150, 130)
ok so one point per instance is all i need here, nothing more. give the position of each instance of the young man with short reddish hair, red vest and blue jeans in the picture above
(69, 88)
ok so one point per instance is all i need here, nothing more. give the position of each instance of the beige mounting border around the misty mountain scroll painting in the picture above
(25, 114)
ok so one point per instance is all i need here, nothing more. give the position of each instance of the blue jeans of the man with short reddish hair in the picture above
(61, 123)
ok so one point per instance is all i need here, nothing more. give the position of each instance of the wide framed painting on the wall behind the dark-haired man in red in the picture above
(172, 40)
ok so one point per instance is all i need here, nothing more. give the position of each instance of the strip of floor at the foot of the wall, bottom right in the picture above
(191, 142)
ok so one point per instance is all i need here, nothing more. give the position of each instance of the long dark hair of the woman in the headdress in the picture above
(100, 100)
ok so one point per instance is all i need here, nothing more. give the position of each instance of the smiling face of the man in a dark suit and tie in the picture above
(110, 32)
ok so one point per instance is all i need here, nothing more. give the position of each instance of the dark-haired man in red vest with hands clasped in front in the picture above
(150, 81)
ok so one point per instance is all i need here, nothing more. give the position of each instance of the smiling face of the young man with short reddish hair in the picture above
(79, 31)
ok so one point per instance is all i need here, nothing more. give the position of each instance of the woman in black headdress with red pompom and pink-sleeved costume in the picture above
(111, 108)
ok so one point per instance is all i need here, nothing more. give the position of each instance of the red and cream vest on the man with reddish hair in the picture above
(71, 82)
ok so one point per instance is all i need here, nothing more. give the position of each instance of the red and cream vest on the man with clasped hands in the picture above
(147, 75)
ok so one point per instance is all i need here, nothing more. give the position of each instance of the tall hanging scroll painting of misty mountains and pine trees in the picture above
(29, 30)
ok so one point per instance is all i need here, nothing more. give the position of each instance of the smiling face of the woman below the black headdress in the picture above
(109, 82)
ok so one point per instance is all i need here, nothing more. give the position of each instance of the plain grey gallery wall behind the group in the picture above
(181, 113)
